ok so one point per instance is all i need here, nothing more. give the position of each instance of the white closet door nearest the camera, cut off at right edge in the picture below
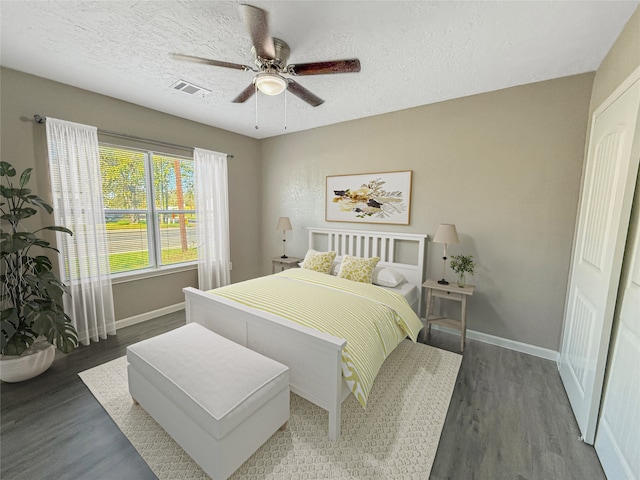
(618, 438)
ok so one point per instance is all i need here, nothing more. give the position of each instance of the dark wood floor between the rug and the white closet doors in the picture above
(509, 418)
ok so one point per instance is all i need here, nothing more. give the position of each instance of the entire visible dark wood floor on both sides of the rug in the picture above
(509, 418)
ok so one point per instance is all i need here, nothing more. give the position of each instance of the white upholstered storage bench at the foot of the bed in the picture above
(218, 400)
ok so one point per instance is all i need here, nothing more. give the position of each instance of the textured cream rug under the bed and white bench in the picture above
(395, 437)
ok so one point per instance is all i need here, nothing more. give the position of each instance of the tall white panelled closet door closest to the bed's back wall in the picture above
(607, 194)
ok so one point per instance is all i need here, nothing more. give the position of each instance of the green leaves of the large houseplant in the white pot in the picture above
(31, 298)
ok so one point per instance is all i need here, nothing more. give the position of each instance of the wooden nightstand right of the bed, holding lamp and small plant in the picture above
(448, 292)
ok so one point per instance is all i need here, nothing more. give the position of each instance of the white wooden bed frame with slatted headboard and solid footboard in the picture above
(315, 358)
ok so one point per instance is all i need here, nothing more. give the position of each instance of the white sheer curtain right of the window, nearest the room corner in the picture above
(212, 211)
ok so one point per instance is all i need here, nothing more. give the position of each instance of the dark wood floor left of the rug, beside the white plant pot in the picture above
(53, 428)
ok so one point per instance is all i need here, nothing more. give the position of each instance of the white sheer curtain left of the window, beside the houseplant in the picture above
(76, 184)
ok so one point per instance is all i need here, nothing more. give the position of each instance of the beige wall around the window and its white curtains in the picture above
(22, 144)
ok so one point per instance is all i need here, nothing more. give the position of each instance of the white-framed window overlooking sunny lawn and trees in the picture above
(149, 208)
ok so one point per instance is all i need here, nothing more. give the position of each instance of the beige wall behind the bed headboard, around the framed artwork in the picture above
(503, 166)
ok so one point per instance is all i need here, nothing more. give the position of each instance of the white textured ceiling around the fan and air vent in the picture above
(412, 52)
